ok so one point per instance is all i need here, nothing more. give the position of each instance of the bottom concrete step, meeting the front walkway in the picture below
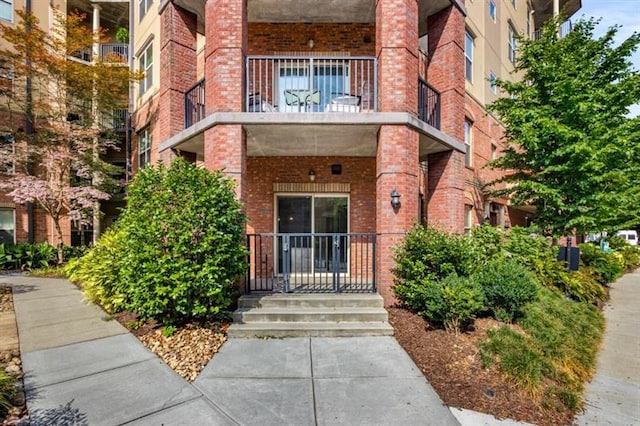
(314, 329)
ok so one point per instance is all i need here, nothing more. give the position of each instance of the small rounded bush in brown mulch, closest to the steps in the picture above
(454, 301)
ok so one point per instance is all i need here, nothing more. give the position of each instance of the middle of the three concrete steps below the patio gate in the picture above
(297, 314)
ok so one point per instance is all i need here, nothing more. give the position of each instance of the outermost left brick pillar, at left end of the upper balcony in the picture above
(178, 70)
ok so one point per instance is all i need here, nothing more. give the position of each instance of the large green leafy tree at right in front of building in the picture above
(572, 148)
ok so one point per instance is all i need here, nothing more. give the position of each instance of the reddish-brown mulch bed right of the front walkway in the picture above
(452, 365)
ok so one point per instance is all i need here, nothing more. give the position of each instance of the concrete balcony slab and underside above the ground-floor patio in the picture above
(277, 134)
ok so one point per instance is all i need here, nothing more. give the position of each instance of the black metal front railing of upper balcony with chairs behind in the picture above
(311, 84)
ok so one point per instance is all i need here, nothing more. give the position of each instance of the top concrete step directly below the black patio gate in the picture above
(332, 300)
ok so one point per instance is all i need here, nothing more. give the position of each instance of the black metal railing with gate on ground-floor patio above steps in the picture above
(311, 263)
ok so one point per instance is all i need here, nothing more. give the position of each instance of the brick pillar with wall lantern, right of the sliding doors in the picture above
(397, 153)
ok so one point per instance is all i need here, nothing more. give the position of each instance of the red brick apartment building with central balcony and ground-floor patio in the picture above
(343, 123)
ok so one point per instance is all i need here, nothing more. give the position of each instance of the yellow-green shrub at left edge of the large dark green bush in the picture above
(97, 273)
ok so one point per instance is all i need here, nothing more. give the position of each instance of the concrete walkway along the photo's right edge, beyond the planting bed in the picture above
(613, 396)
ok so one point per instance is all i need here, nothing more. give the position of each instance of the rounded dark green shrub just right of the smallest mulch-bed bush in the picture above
(508, 286)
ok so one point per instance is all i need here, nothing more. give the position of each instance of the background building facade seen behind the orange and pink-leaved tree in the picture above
(28, 223)
